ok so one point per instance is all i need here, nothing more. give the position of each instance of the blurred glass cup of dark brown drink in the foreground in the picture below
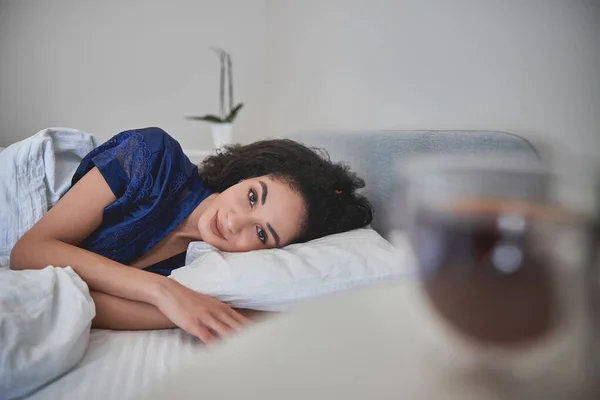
(507, 252)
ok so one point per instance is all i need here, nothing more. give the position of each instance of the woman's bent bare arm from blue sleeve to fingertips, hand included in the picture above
(54, 239)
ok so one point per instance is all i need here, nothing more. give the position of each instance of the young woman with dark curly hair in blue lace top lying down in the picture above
(137, 201)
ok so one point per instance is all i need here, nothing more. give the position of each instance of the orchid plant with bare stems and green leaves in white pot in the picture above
(221, 126)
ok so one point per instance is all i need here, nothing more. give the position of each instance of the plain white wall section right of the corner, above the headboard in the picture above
(531, 67)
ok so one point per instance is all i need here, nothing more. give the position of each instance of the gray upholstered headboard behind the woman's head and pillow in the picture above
(372, 154)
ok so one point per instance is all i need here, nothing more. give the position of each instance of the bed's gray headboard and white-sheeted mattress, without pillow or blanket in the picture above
(131, 365)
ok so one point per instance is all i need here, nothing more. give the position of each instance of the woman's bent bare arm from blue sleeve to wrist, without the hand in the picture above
(54, 239)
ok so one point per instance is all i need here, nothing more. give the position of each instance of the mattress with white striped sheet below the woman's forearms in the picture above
(125, 365)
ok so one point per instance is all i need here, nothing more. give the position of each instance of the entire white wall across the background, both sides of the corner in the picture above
(526, 66)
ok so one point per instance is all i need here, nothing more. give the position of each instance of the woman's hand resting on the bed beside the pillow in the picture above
(196, 313)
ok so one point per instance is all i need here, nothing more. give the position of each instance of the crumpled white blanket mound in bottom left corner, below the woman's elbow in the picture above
(45, 320)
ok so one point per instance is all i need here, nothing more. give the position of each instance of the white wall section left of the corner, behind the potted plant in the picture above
(105, 66)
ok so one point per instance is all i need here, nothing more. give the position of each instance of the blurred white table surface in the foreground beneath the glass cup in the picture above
(380, 343)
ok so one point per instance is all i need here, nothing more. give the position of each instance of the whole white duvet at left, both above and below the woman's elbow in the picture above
(45, 315)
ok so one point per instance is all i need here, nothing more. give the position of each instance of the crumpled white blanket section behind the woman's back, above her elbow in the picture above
(34, 174)
